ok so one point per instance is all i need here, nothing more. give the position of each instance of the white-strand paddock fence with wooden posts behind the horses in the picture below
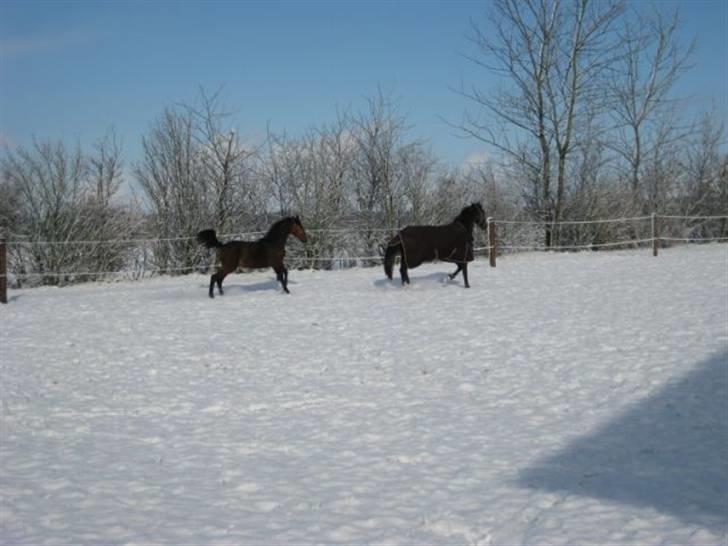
(27, 261)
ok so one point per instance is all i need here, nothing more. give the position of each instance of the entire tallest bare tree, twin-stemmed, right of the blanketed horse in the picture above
(551, 56)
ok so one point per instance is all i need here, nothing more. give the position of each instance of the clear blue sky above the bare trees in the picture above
(72, 70)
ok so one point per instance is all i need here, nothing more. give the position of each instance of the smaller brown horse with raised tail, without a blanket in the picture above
(268, 251)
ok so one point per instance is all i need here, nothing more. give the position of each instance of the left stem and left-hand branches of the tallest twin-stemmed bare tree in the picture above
(520, 50)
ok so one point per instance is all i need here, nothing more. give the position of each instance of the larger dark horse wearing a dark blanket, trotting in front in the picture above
(451, 242)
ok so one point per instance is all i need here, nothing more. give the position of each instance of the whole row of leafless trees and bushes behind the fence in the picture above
(582, 124)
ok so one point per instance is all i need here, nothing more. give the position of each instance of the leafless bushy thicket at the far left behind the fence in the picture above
(66, 211)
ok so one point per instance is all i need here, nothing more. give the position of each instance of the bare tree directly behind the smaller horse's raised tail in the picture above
(194, 173)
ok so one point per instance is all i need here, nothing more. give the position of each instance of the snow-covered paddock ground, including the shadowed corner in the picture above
(563, 399)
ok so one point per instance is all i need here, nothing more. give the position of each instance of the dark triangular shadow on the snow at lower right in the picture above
(669, 453)
